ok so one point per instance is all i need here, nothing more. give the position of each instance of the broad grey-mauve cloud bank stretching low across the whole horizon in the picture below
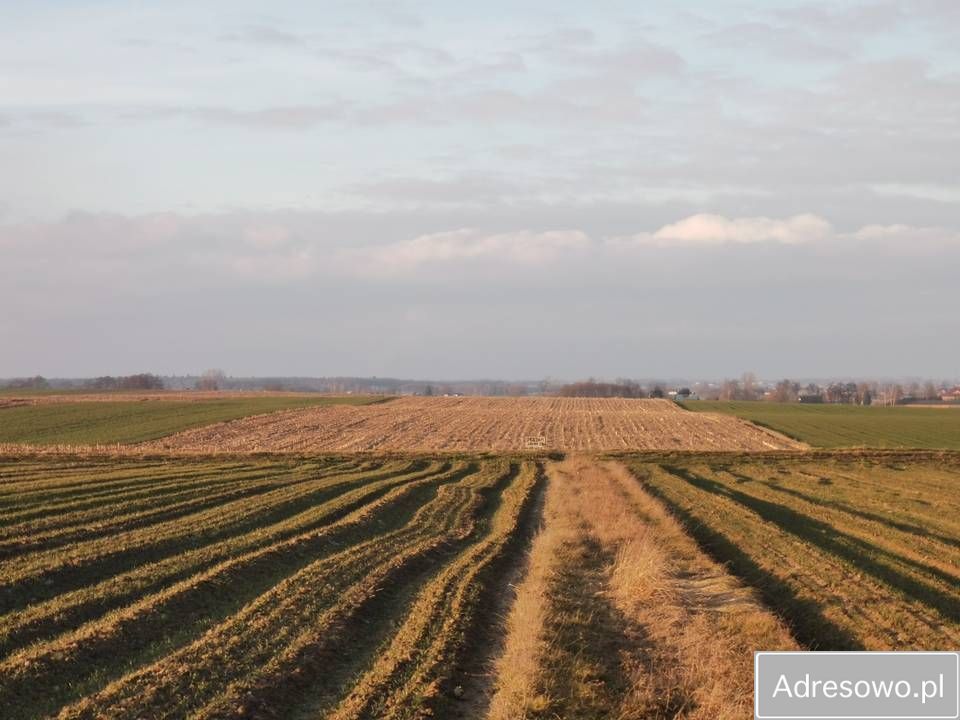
(254, 288)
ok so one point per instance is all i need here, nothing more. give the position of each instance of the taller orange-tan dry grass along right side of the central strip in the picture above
(698, 626)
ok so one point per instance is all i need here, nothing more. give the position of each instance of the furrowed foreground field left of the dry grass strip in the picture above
(127, 595)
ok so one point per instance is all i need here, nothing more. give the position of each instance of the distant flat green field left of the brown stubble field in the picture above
(89, 423)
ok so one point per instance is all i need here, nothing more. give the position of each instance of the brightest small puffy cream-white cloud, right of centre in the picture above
(708, 229)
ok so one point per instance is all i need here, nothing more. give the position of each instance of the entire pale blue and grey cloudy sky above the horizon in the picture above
(464, 190)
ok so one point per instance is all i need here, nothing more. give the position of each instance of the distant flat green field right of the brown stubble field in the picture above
(834, 426)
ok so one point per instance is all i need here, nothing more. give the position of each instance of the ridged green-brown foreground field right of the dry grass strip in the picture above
(853, 553)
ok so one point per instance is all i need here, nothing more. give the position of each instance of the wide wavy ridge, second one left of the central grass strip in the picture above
(292, 620)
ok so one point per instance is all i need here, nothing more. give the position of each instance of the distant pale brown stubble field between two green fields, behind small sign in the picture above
(480, 424)
